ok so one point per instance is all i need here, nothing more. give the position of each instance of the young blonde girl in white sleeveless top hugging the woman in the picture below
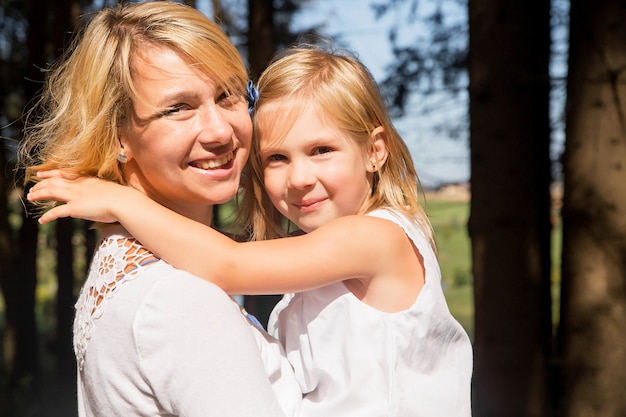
(366, 326)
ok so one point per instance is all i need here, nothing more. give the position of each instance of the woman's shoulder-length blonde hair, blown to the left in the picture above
(87, 97)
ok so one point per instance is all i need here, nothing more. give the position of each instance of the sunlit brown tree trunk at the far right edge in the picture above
(592, 341)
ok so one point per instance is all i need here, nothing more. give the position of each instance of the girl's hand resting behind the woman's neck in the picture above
(86, 198)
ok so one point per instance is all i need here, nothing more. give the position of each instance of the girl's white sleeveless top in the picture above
(351, 359)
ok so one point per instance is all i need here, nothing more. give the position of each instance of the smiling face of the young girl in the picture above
(316, 173)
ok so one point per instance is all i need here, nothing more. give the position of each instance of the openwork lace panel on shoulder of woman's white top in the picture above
(117, 260)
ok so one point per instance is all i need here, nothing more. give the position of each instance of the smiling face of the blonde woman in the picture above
(188, 139)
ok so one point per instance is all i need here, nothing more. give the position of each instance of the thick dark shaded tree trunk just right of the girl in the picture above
(509, 221)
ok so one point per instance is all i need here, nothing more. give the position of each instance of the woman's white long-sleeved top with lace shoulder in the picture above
(153, 340)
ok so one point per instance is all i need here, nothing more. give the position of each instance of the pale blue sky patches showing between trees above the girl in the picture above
(352, 25)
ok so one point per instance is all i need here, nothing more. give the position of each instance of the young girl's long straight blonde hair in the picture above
(345, 92)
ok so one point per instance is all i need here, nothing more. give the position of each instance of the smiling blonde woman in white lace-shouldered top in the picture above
(153, 96)
